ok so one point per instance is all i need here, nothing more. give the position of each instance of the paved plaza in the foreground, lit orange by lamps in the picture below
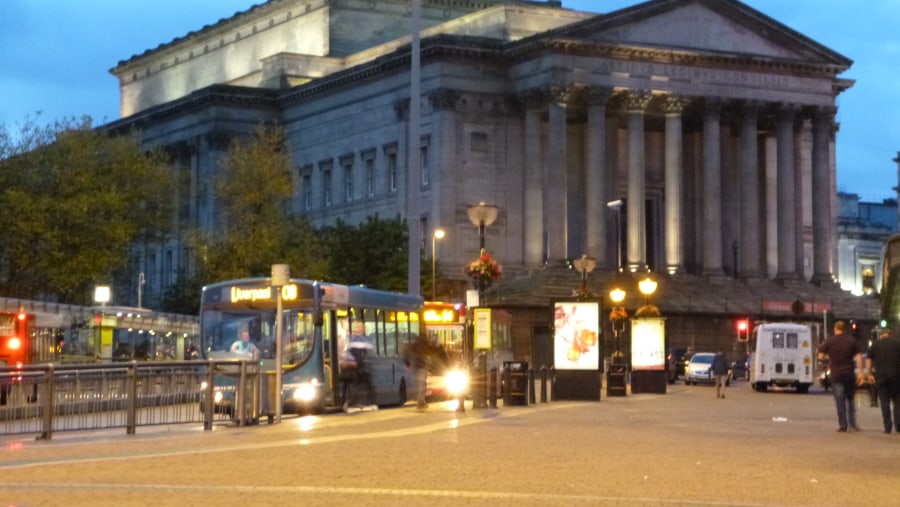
(683, 448)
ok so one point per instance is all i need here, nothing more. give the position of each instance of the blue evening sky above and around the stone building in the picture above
(55, 57)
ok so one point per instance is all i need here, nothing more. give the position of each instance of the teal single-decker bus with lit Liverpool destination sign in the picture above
(316, 322)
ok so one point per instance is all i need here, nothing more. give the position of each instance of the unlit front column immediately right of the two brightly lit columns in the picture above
(712, 188)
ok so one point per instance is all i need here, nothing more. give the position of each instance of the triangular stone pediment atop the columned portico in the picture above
(725, 27)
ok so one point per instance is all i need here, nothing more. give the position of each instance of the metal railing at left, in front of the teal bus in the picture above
(43, 399)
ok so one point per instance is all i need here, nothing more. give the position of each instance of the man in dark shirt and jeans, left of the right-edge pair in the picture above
(845, 363)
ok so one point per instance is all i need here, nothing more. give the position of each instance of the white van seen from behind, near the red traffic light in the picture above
(781, 354)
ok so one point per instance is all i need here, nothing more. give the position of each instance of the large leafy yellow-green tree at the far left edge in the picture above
(77, 198)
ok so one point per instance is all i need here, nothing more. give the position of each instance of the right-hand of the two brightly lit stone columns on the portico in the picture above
(673, 107)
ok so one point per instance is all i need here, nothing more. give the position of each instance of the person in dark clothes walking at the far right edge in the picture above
(883, 367)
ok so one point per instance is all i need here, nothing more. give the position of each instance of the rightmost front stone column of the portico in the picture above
(821, 196)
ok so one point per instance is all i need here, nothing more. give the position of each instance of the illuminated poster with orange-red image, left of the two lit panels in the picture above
(576, 338)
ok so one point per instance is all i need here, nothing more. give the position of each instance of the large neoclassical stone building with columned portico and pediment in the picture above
(713, 123)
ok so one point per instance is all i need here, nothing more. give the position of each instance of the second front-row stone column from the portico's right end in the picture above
(787, 234)
